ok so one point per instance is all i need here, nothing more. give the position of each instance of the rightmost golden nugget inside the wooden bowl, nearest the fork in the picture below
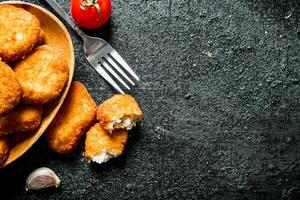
(42, 75)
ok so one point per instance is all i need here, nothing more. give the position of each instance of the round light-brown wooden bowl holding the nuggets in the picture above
(58, 38)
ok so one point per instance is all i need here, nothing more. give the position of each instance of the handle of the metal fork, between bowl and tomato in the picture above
(66, 17)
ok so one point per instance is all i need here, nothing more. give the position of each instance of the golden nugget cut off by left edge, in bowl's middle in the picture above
(10, 90)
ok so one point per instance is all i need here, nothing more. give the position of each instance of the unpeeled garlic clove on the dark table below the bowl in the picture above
(41, 178)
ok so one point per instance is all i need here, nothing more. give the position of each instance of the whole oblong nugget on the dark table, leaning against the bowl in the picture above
(75, 116)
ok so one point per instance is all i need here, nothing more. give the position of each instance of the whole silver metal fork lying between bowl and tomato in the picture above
(100, 54)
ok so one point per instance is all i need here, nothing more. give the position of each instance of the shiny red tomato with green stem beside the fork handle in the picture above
(90, 14)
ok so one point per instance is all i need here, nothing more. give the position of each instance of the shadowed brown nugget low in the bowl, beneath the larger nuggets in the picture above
(22, 118)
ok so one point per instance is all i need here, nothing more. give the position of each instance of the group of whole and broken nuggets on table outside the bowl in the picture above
(106, 127)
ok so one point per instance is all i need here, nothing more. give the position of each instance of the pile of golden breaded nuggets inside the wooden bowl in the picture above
(32, 74)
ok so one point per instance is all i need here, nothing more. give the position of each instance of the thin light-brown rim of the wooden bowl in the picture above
(71, 65)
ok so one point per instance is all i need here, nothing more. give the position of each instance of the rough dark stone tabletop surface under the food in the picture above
(220, 93)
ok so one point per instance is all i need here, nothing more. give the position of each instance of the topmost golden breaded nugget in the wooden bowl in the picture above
(19, 32)
